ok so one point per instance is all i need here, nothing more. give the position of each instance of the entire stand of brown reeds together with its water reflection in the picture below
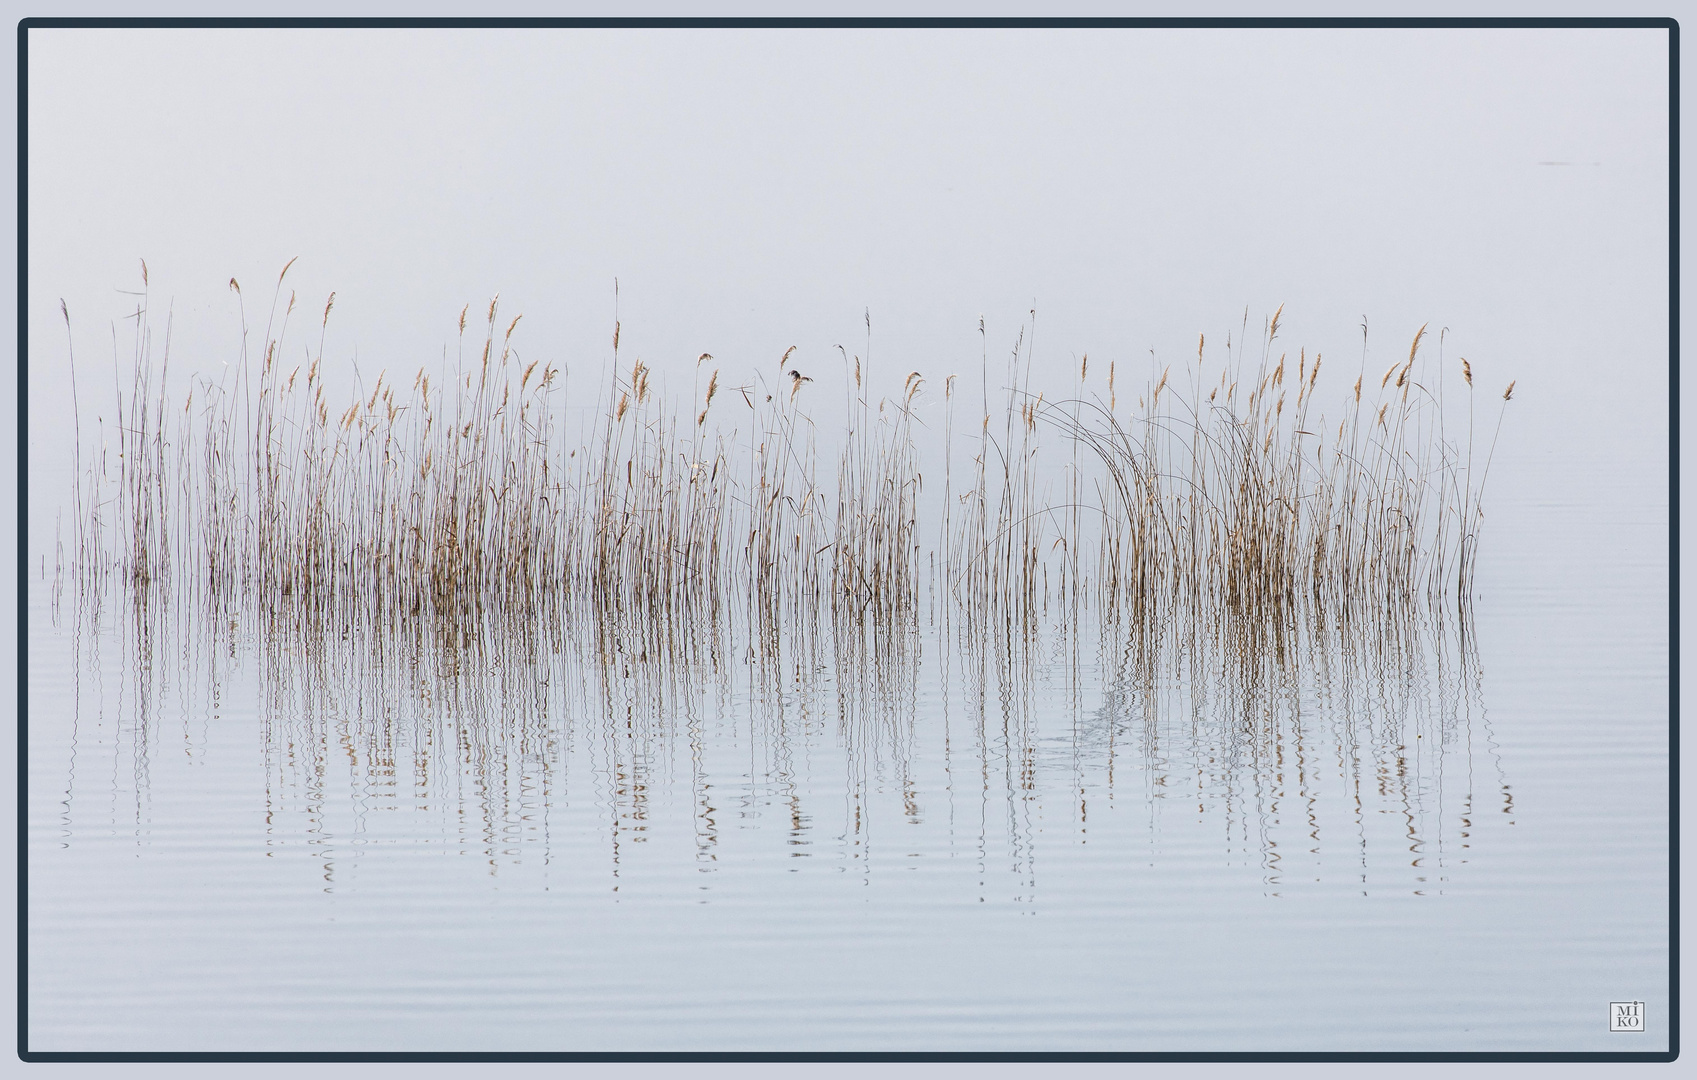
(451, 588)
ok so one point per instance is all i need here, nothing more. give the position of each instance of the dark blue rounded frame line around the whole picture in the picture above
(1674, 515)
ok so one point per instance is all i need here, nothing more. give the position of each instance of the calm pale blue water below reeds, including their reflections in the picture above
(257, 841)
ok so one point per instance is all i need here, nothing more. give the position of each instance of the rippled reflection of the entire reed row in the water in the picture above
(1294, 750)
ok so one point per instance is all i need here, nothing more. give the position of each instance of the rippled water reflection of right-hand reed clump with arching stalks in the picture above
(1306, 733)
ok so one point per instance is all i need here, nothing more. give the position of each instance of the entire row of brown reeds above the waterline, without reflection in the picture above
(1207, 497)
